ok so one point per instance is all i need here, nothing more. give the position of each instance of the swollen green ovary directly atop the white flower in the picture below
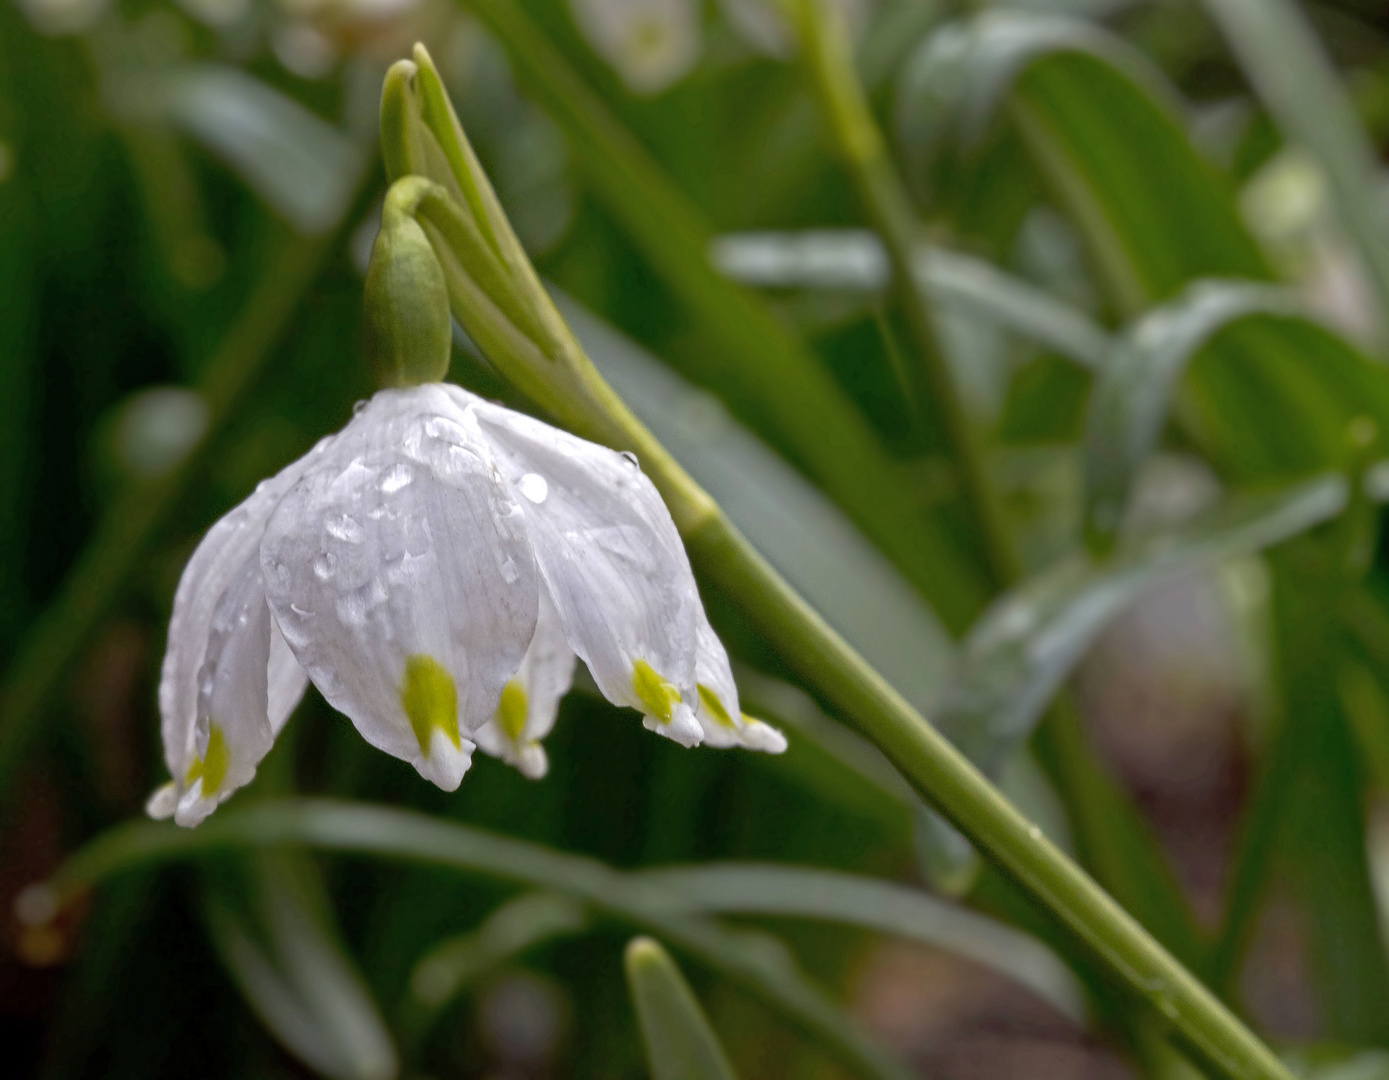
(409, 332)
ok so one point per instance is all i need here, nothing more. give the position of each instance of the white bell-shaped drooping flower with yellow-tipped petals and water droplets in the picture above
(434, 570)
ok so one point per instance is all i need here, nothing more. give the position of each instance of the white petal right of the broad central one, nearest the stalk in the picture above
(610, 557)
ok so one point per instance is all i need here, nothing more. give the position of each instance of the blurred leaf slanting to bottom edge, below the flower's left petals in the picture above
(294, 972)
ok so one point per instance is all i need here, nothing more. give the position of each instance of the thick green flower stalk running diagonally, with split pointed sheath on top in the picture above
(554, 371)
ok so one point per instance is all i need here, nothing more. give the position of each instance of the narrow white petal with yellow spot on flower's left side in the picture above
(233, 732)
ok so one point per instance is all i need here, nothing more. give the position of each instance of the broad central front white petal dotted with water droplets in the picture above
(402, 580)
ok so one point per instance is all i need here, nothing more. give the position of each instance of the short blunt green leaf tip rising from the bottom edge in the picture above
(680, 1043)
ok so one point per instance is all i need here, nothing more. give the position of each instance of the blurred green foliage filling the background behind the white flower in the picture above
(187, 199)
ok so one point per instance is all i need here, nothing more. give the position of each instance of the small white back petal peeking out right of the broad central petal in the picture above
(531, 702)
